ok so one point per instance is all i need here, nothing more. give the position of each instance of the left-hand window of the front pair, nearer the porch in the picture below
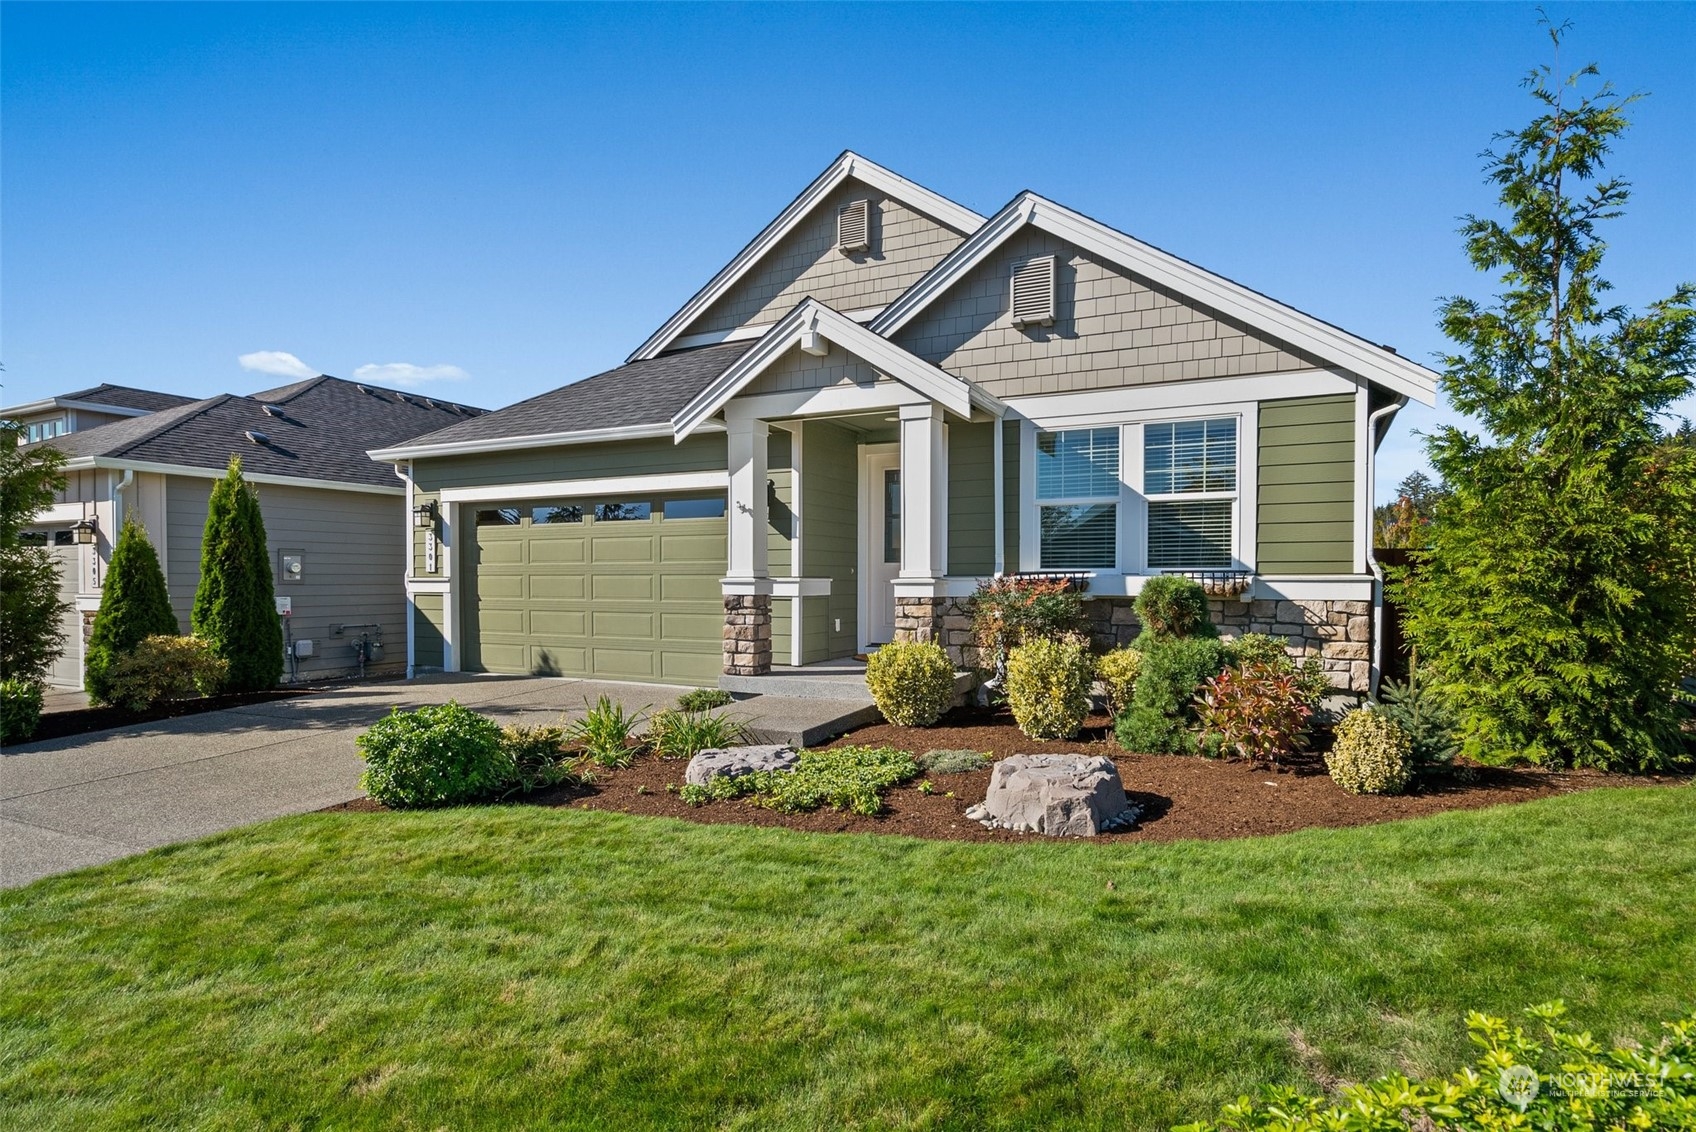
(1078, 498)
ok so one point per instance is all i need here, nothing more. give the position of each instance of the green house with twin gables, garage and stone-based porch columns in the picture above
(884, 400)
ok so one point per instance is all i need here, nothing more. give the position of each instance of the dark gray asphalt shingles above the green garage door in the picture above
(642, 393)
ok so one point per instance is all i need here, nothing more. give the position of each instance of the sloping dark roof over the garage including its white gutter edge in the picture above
(635, 400)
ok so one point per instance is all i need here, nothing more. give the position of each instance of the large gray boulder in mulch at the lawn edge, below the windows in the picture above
(1056, 795)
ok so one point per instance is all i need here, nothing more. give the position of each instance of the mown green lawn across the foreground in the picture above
(540, 968)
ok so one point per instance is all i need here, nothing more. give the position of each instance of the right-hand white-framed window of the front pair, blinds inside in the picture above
(1190, 479)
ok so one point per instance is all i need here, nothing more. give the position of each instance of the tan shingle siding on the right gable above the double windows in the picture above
(1112, 332)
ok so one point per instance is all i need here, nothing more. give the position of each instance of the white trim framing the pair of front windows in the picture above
(1134, 505)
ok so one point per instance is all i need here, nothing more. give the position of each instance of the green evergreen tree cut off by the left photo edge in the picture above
(31, 614)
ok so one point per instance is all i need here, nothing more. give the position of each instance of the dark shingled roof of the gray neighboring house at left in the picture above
(320, 432)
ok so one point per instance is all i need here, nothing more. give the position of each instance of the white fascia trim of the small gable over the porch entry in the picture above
(842, 332)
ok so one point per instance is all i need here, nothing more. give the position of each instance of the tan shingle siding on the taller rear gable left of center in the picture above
(905, 245)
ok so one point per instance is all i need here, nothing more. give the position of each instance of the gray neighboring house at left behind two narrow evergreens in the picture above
(332, 515)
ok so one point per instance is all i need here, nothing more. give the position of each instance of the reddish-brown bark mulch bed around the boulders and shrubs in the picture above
(1180, 797)
